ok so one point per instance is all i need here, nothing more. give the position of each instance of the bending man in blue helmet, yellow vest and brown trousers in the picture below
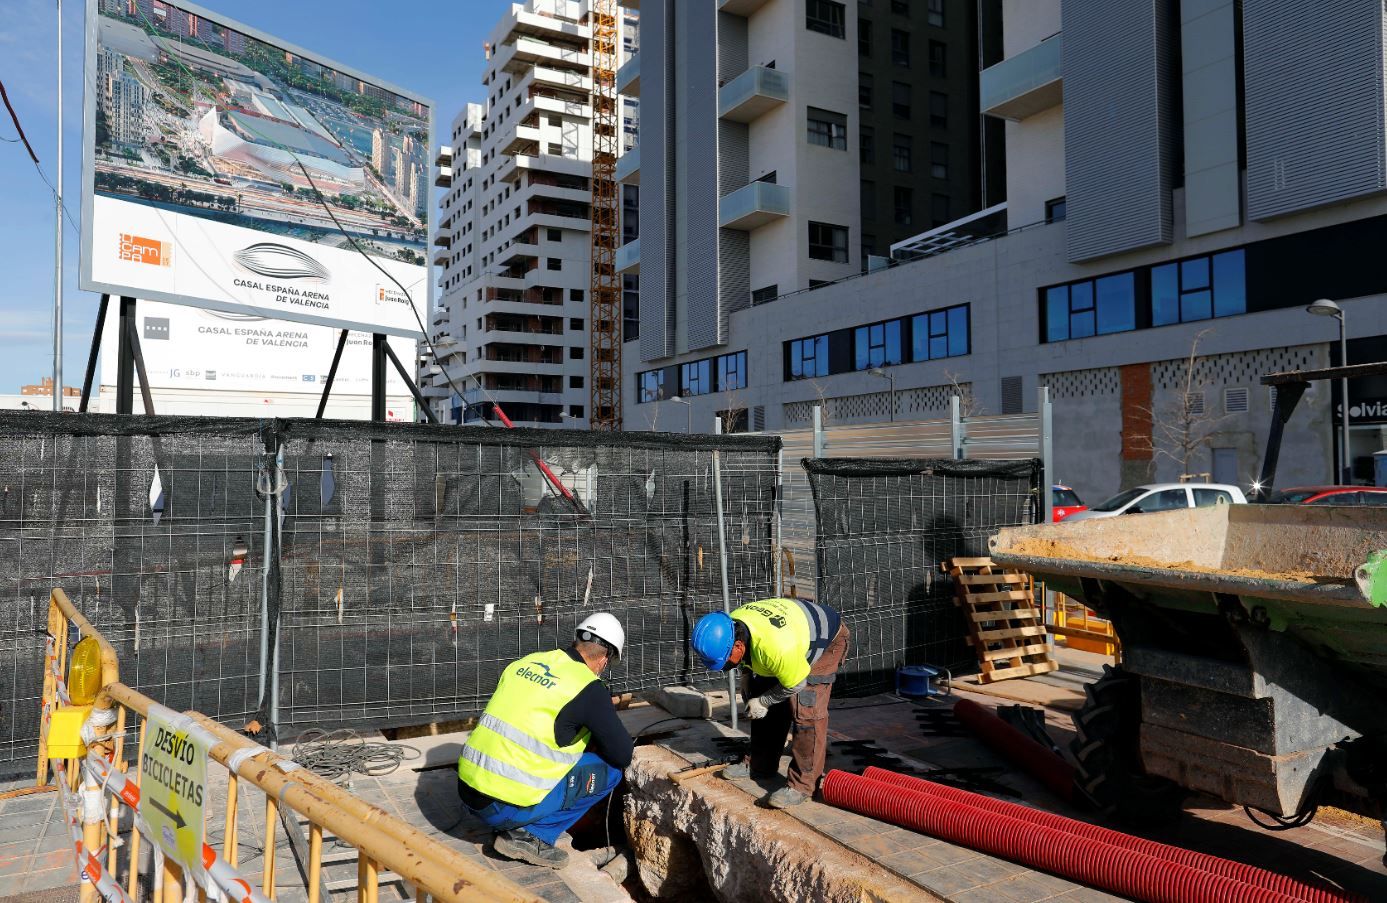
(793, 651)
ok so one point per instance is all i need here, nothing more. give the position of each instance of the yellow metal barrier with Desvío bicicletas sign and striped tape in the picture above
(382, 841)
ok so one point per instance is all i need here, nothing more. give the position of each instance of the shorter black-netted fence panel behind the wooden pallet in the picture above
(883, 529)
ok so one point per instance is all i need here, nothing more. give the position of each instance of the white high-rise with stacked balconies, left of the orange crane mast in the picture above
(514, 241)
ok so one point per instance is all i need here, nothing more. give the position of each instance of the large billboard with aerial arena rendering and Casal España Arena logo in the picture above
(228, 170)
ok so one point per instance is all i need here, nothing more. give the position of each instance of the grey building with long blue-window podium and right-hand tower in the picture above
(1177, 174)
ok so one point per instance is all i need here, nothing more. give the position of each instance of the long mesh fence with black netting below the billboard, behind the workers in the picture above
(408, 564)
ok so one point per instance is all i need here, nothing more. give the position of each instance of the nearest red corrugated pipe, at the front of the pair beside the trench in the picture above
(1094, 863)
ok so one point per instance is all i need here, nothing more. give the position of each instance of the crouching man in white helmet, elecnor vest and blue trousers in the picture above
(549, 747)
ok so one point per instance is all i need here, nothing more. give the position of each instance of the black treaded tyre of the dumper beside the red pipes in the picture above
(1108, 757)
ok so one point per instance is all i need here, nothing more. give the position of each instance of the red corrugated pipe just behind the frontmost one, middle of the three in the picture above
(1241, 872)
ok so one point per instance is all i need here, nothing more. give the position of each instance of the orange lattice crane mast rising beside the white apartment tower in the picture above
(605, 293)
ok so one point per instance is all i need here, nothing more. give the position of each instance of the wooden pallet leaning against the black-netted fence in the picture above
(1005, 623)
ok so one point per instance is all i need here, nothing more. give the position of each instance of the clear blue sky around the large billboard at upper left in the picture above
(428, 46)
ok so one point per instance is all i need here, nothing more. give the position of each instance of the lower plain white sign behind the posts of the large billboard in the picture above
(199, 349)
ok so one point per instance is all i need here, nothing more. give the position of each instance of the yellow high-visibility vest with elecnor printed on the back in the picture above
(512, 755)
